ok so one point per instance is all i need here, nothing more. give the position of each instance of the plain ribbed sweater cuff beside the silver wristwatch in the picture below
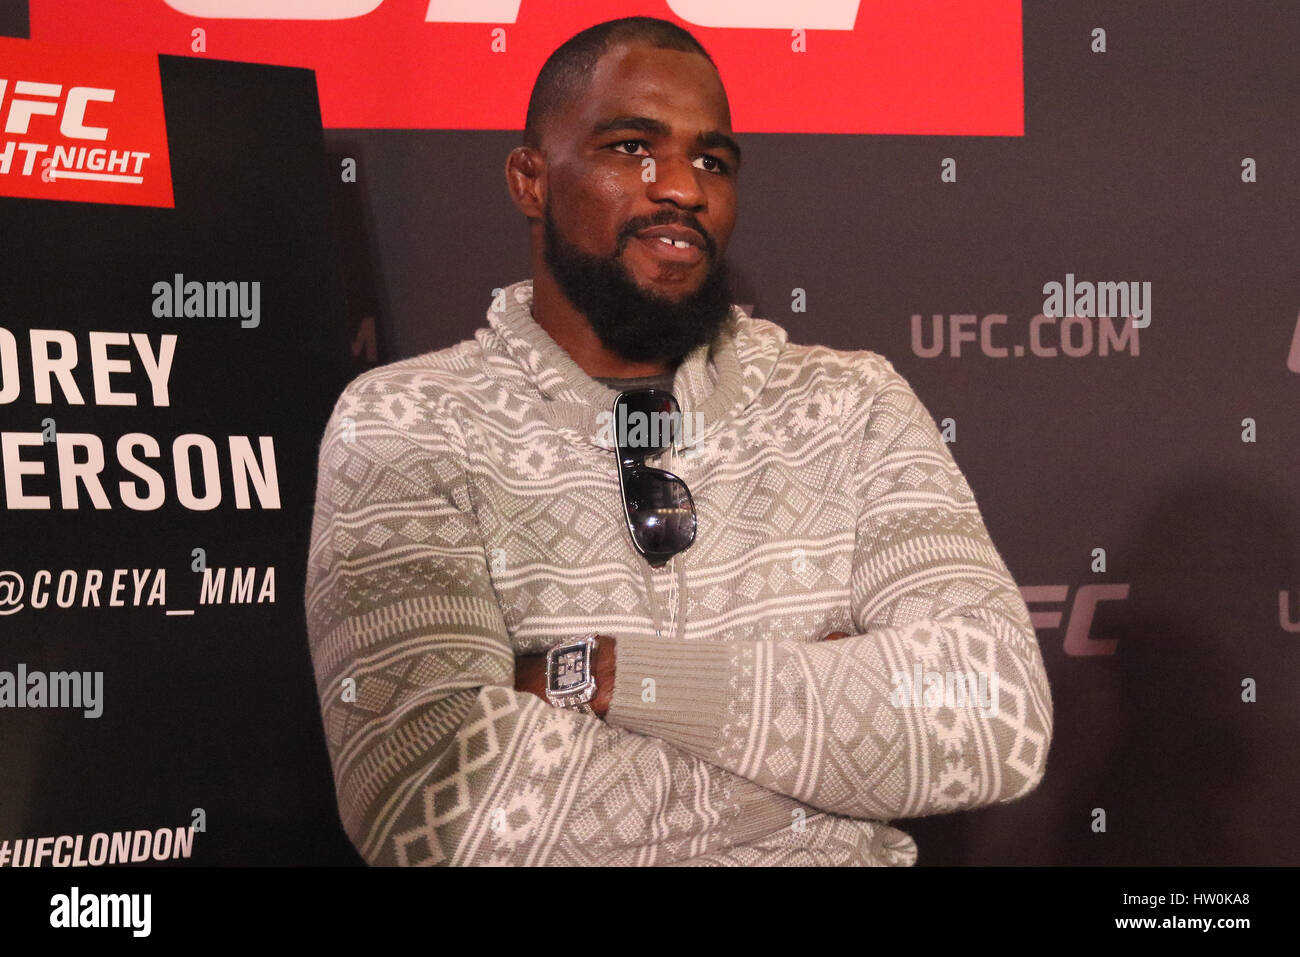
(692, 686)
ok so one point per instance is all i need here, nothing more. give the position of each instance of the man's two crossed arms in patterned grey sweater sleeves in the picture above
(447, 754)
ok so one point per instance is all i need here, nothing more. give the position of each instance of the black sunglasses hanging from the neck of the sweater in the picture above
(658, 506)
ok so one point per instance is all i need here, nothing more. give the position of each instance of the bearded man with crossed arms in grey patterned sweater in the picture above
(536, 647)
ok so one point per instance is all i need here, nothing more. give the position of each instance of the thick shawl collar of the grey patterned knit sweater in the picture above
(713, 384)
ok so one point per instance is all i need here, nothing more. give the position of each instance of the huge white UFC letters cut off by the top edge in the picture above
(775, 15)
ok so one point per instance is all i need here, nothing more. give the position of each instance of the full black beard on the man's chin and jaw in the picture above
(631, 322)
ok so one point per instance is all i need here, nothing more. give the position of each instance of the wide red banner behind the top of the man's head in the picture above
(924, 67)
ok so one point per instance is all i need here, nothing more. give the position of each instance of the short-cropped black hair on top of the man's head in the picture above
(567, 72)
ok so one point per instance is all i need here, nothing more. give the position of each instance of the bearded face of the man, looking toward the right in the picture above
(645, 300)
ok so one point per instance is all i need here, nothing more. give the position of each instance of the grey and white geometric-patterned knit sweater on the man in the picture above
(469, 512)
